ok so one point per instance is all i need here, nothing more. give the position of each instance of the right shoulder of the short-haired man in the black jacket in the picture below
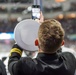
(69, 60)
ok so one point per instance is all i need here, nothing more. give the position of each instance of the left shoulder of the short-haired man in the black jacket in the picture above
(24, 66)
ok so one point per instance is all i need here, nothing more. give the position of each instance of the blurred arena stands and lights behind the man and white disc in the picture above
(13, 11)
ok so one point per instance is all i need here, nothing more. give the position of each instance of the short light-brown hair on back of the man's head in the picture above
(50, 36)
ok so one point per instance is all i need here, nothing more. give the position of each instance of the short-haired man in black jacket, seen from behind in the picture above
(48, 61)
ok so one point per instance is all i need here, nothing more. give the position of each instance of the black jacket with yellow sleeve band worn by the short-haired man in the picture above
(44, 64)
